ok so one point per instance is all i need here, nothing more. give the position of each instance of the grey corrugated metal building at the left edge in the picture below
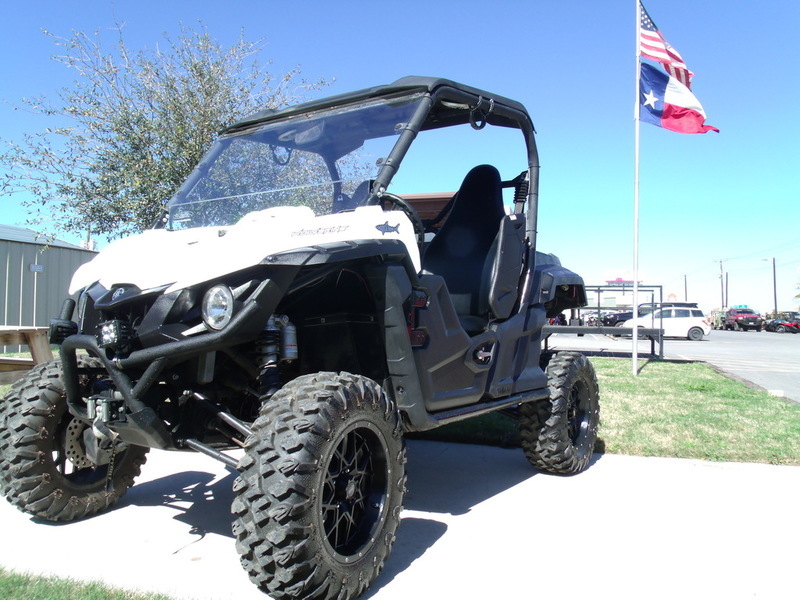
(35, 272)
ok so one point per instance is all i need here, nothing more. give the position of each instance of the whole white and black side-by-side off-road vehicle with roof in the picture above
(289, 304)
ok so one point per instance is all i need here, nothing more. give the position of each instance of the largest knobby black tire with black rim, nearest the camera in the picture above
(320, 489)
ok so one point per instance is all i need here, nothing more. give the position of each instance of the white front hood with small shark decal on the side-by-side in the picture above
(180, 259)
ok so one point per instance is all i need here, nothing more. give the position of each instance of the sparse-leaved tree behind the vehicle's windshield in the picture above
(133, 125)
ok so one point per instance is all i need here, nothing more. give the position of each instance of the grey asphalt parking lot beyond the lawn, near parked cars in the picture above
(770, 361)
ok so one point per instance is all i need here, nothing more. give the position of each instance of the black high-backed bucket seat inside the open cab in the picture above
(463, 250)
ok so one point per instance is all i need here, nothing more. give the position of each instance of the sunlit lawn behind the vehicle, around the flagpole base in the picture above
(682, 410)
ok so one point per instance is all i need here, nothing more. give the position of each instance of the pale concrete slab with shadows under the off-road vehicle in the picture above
(479, 523)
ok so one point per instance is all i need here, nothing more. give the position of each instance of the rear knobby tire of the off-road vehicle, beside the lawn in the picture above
(558, 434)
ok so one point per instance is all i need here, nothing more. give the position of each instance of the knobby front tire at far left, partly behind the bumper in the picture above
(44, 470)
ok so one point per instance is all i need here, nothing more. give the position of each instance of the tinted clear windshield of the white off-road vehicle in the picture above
(322, 160)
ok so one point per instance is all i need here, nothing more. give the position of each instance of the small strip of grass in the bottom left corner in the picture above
(16, 586)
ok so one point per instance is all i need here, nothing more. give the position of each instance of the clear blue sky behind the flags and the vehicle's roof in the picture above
(732, 196)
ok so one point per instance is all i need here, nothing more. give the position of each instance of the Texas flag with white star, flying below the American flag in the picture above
(665, 102)
